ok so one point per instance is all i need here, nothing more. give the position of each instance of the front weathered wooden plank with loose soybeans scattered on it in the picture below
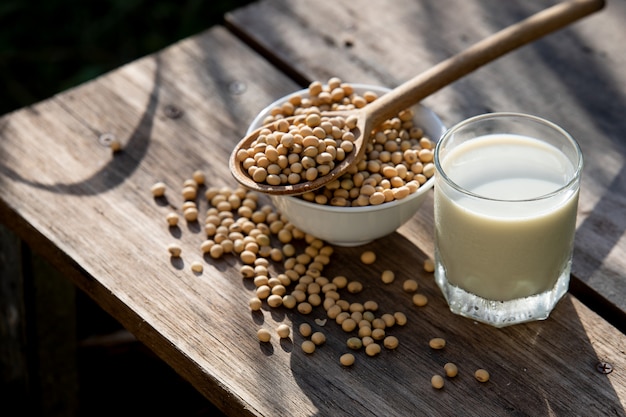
(91, 213)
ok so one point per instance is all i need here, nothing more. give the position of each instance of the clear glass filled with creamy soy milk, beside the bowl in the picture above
(506, 196)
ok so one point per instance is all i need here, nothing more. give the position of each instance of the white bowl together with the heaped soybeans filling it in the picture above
(382, 191)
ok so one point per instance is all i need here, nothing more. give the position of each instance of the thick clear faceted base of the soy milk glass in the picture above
(502, 313)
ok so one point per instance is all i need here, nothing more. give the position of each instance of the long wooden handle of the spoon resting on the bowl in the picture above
(490, 48)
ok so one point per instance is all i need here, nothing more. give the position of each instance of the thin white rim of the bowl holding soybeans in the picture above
(340, 209)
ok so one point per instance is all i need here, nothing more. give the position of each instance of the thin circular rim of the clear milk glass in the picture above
(448, 133)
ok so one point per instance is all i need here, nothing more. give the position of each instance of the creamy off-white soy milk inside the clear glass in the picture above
(510, 235)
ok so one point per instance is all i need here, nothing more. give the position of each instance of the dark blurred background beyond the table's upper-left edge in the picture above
(47, 46)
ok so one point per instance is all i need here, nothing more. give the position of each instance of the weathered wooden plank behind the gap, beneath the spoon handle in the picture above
(572, 77)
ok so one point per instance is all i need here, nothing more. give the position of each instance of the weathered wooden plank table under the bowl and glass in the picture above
(91, 213)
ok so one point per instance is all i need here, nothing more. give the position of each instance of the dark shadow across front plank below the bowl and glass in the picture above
(540, 368)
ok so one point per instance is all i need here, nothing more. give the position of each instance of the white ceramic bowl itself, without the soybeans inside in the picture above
(354, 226)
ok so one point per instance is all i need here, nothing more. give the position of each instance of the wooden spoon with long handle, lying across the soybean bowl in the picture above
(424, 84)
